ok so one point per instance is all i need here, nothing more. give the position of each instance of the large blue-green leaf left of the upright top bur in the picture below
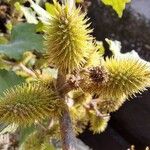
(23, 38)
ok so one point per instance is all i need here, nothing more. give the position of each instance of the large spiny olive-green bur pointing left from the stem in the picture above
(28, 103)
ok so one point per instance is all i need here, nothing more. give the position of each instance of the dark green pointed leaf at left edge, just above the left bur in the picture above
(8, 79)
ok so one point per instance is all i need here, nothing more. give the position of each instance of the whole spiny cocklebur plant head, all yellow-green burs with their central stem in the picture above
(87, 89)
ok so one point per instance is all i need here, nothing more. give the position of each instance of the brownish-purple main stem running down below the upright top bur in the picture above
(66, 130)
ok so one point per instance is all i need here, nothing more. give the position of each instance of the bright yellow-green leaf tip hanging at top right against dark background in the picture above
(118, 5)
